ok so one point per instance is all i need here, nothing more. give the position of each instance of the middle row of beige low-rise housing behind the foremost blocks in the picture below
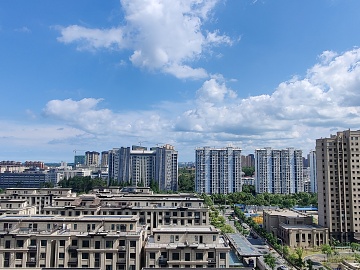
(153, 210)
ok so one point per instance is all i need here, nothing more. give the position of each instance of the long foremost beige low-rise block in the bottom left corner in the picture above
(107, 242)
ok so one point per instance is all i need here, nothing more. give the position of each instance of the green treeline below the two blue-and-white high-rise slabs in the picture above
(248, 197)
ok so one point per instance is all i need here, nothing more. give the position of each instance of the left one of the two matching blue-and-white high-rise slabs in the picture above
(218, 170)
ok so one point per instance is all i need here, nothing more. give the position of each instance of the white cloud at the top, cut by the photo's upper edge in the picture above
(161, 35)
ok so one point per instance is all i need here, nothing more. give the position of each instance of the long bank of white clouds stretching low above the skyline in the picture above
(298, 111)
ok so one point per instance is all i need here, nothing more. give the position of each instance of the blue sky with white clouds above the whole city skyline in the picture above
(92, 75)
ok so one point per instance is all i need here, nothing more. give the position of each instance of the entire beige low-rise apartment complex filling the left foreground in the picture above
(110, 229)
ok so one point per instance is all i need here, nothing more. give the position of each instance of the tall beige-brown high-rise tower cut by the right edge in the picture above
(338, 180)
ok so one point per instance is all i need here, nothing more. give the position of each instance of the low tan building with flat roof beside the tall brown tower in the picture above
(295, 229)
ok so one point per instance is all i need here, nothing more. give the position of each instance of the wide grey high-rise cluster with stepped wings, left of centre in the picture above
(139, 166)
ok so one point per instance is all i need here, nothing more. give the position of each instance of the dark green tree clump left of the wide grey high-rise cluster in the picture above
(82, 184)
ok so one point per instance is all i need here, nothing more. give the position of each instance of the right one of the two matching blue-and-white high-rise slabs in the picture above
(278, 171)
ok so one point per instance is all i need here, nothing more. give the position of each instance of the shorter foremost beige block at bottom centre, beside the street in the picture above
(186, 247)
